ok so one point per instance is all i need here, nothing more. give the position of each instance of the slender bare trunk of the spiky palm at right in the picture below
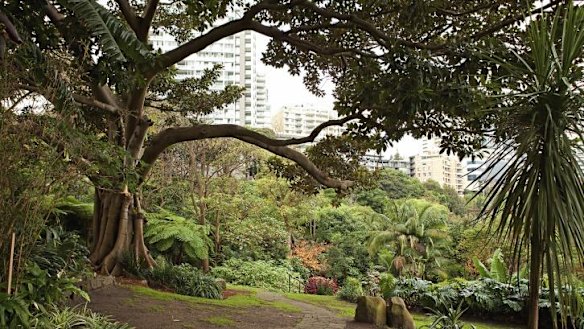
(534, 284)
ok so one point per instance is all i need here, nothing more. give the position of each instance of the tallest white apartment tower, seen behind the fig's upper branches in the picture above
(238, 54)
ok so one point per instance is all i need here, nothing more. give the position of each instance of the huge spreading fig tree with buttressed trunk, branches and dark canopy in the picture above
(398, 66)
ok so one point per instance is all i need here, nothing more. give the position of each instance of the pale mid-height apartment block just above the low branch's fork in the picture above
(300, 121)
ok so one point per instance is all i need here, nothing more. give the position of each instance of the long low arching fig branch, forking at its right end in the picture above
(172, 136)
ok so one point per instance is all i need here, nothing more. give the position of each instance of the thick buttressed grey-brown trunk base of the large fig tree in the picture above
(118, 230)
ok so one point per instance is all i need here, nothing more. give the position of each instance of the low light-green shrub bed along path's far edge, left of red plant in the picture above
(261, 274)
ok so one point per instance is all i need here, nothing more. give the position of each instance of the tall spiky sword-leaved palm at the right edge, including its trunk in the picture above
(537, 199)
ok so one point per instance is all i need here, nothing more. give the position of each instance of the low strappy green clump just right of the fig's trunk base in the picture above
(184, 279)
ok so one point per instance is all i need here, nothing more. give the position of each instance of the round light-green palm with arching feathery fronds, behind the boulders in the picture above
(414, 233)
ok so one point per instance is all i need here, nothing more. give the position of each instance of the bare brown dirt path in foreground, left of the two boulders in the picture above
(145, 312)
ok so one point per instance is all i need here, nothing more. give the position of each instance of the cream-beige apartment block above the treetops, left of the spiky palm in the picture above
(447, 170)
